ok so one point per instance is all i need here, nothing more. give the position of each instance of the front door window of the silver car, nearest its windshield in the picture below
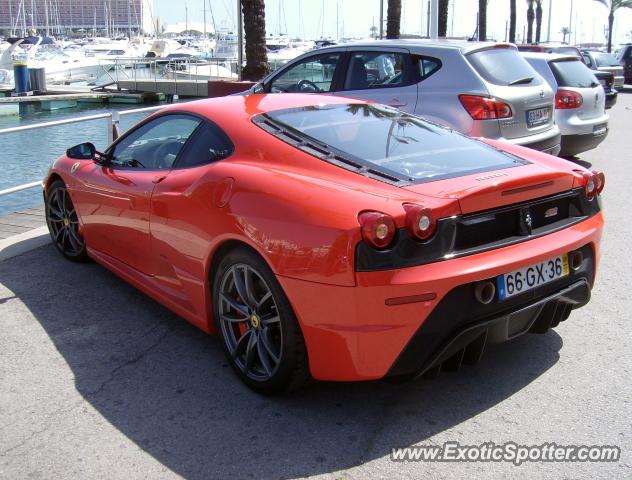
(312, 75)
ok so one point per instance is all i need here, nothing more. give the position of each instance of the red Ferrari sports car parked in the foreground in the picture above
(332, 238)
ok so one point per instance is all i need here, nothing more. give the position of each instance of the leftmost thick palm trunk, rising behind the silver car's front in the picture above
(255, 34)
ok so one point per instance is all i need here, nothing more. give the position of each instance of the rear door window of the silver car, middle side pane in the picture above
(376, 70)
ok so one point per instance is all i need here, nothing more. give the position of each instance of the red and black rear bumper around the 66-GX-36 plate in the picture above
(353, 333)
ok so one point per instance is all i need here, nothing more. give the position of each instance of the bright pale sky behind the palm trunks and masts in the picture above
(311, 18)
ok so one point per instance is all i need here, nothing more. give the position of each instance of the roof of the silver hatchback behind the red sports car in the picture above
(465, 46)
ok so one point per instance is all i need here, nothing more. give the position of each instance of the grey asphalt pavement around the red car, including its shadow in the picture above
(98, 381)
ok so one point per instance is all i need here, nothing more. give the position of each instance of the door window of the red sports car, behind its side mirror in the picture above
(155, 145)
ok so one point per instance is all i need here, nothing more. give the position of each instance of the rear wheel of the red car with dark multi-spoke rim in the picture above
(260, 335)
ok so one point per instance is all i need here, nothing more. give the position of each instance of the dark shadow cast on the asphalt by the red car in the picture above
(166, 386)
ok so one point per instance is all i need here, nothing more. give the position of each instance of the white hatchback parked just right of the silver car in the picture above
(580, 109)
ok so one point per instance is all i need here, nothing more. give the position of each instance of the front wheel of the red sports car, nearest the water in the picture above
(63, 223)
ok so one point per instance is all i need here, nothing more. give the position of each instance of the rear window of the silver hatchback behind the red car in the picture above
(503, 66)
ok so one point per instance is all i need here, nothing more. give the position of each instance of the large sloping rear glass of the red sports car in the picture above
(387, 140)
